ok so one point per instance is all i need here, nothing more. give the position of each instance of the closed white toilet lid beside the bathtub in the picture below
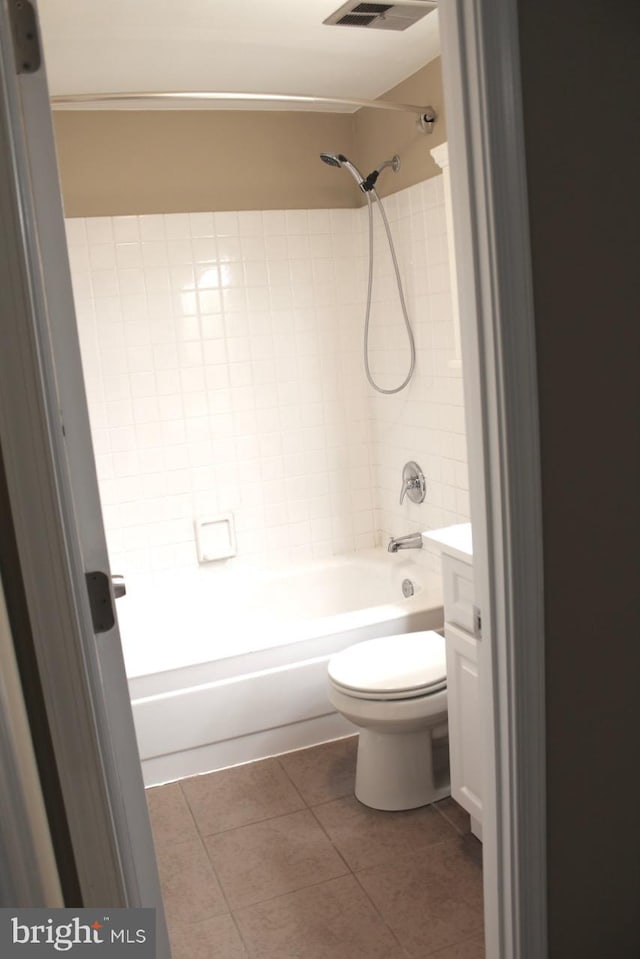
(392, 664)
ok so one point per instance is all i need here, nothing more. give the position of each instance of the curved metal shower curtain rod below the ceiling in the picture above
(426, 115)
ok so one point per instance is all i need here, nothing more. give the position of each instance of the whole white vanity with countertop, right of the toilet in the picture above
(462, 630)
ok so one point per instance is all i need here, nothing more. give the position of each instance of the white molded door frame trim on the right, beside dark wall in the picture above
(481, 75)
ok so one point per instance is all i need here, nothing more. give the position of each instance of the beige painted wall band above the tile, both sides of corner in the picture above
(117, 162)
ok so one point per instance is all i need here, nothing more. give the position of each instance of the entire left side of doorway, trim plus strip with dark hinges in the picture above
(46, 444)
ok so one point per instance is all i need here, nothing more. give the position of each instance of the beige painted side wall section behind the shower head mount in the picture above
(379, 134)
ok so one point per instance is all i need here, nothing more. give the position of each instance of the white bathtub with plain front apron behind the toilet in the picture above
(226, 668)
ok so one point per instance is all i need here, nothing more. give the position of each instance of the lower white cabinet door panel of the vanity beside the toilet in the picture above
(465, 743)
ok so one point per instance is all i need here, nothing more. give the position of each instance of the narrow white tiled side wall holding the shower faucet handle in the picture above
(425, 422)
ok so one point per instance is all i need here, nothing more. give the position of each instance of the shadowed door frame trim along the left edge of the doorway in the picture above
(36, 513)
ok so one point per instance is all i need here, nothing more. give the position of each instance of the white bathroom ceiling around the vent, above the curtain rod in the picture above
(263, 46)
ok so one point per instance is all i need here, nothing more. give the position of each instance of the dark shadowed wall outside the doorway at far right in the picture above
(582, 169)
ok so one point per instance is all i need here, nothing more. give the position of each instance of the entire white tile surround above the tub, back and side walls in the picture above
(223, 364)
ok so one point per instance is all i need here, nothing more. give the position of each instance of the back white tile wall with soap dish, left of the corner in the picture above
(212, 346)
